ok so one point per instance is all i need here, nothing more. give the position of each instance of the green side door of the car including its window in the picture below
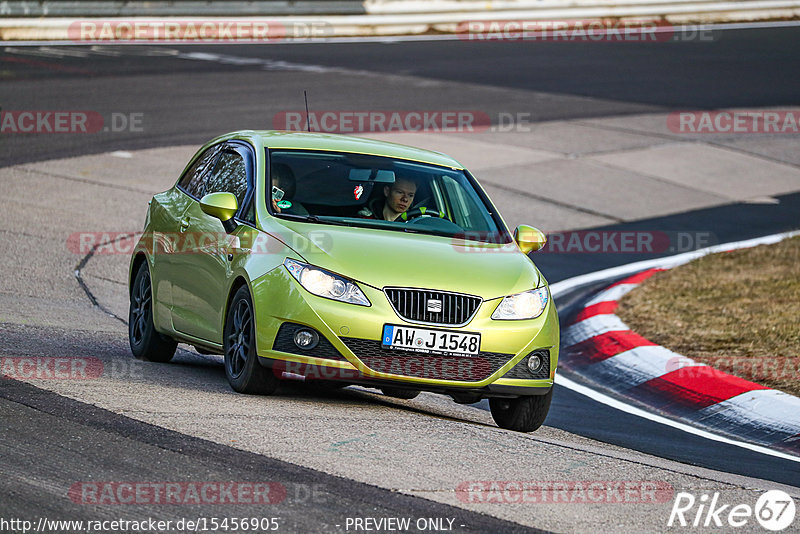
(202, 270)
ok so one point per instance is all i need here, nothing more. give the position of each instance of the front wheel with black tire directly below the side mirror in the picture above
(242, 369)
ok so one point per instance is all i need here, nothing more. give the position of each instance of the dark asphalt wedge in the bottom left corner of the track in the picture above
(115, 446)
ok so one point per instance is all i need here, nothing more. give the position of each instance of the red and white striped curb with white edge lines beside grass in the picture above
(598, 348)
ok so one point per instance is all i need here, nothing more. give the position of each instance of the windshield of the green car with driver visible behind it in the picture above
(380, 192)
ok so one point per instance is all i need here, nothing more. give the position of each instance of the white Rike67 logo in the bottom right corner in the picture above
(774, 511)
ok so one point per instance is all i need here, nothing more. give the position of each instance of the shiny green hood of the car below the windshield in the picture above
(382, 258)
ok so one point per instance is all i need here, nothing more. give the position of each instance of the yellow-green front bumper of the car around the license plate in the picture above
(350, 348)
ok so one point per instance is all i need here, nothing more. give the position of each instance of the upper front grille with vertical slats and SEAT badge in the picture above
(432, 307)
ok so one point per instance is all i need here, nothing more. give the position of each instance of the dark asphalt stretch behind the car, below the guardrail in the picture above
(194, 99)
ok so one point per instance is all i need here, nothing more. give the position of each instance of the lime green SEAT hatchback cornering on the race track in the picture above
(344, 261)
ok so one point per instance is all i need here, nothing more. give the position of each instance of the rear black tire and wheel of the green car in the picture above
(146, 343)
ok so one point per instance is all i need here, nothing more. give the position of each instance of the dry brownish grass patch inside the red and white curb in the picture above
(737, 311)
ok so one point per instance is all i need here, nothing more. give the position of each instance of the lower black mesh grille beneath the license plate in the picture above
(416, 365)
